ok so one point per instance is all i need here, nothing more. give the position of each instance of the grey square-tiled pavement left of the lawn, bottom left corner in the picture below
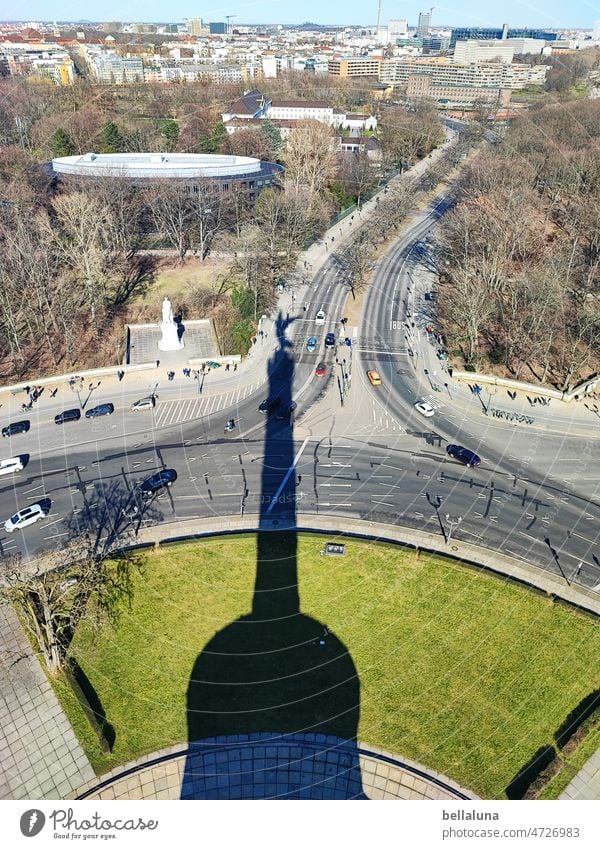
(40, 756)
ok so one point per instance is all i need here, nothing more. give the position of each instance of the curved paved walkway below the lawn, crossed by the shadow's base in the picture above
(268, 766)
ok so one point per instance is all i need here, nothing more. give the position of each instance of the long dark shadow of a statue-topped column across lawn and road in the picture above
(273, 699)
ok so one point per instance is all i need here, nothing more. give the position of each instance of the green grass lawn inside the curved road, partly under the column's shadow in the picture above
(459, 670)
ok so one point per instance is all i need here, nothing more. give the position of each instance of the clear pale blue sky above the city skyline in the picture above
(536, 13)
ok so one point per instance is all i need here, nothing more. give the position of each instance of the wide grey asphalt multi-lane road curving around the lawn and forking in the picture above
(524, 500)
